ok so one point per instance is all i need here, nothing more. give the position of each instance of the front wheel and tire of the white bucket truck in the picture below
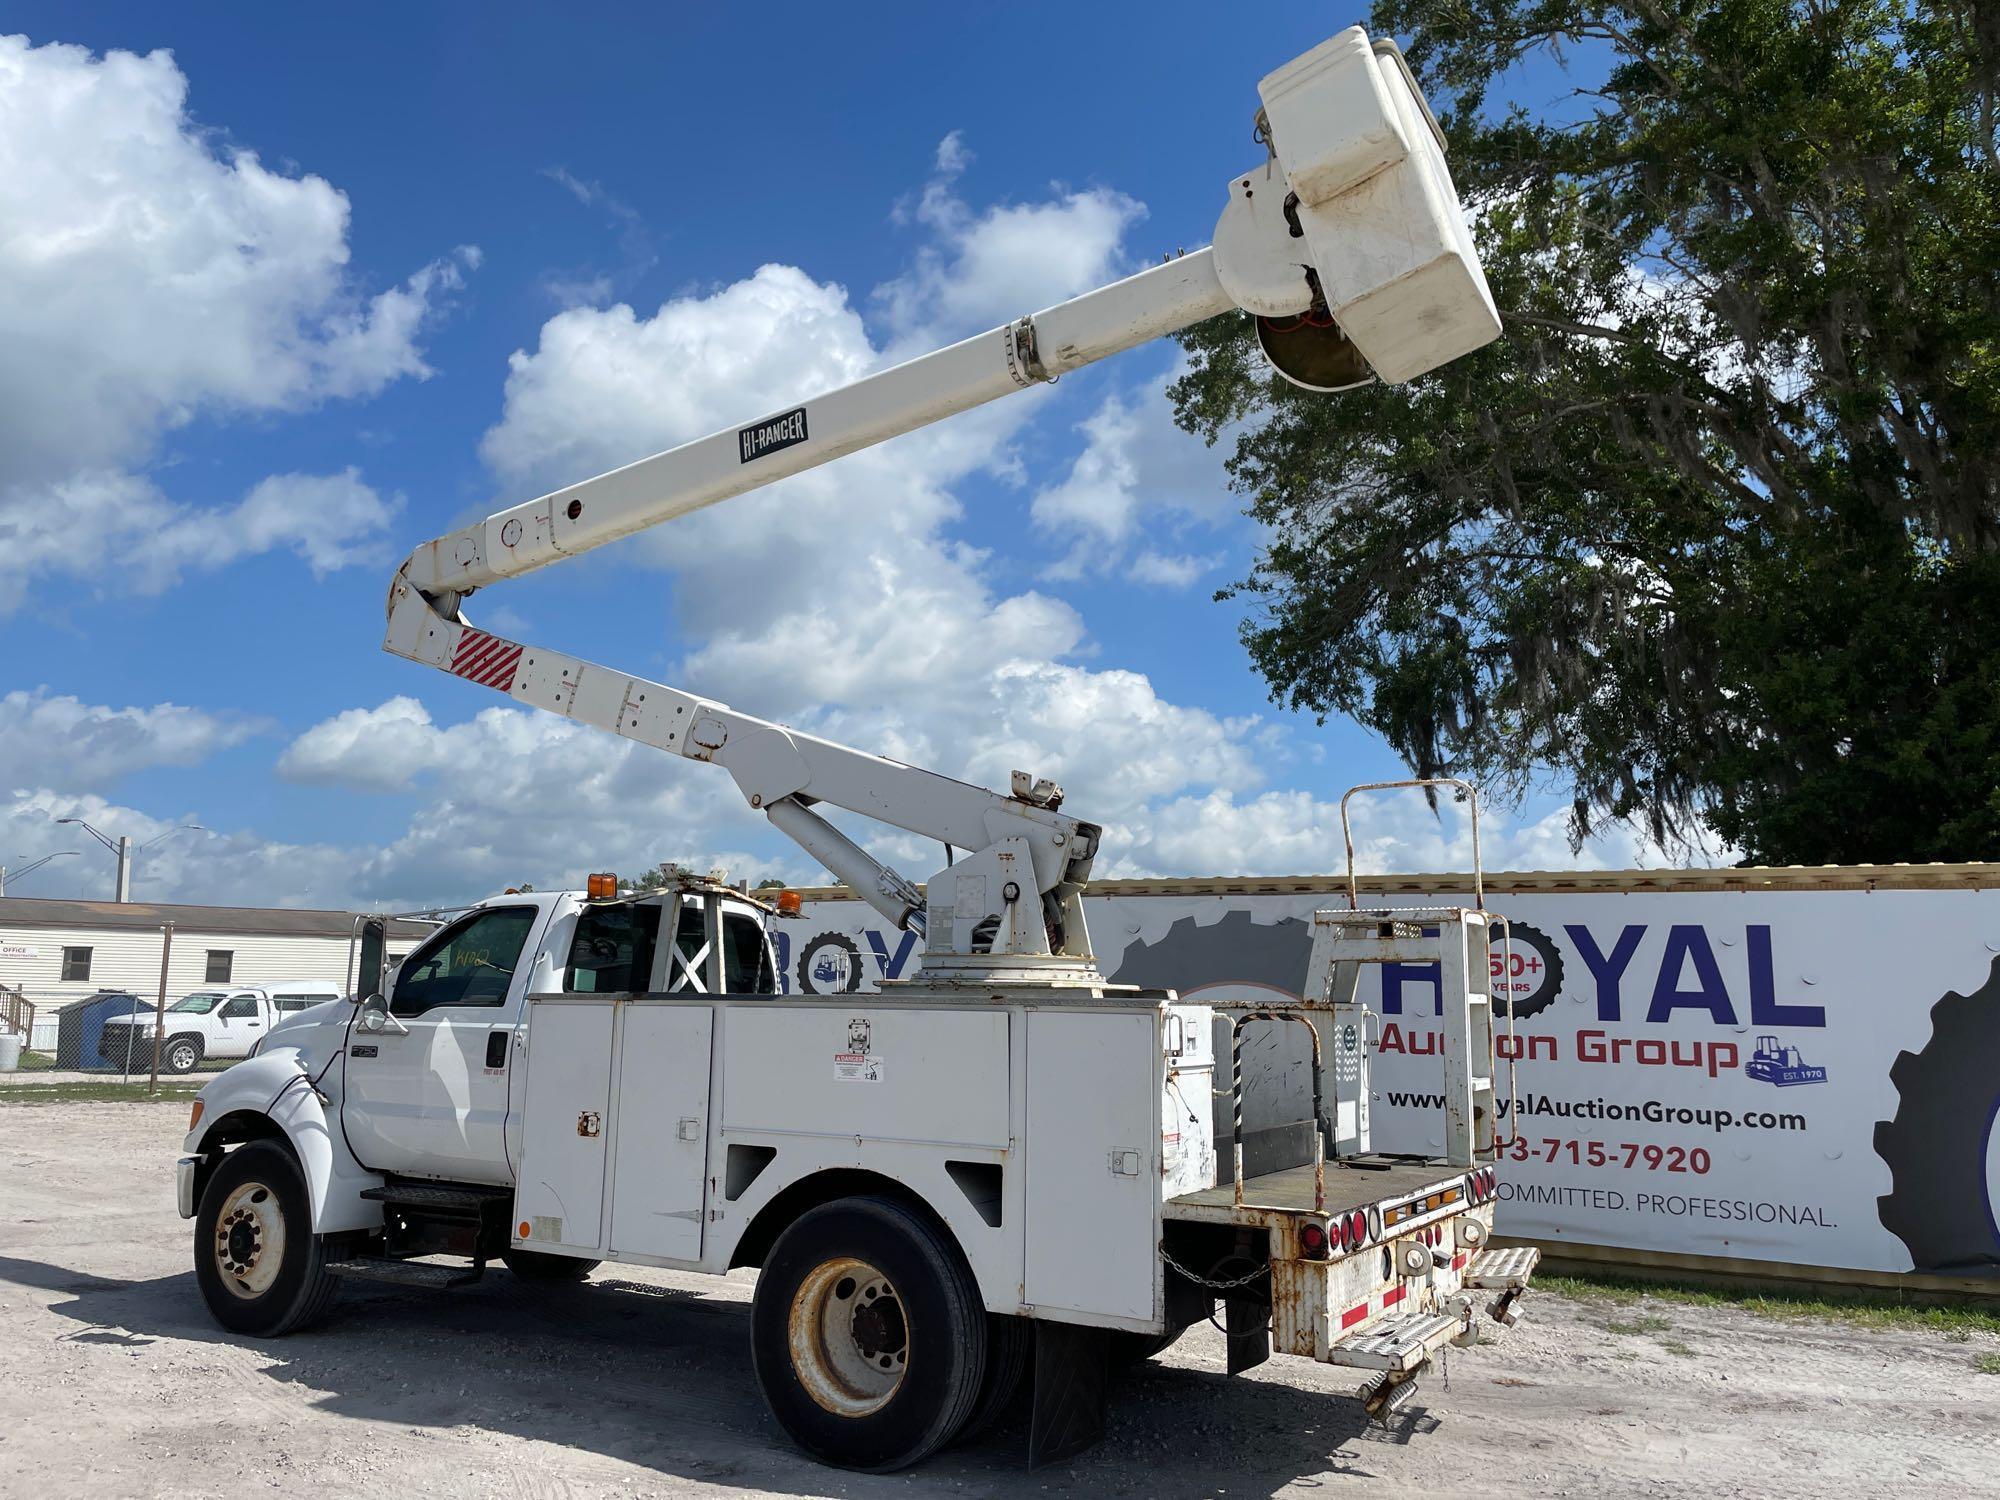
(261, 1267)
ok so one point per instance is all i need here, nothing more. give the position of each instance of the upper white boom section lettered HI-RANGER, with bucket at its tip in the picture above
(1347, 245)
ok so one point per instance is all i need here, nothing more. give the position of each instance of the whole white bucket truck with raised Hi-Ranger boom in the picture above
(1001, 1173)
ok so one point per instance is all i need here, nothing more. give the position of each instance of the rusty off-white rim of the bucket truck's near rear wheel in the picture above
(851, 1337)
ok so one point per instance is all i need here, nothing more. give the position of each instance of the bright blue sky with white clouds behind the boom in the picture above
(311, 287)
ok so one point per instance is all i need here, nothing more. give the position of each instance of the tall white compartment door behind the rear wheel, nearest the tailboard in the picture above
(1095, 1167)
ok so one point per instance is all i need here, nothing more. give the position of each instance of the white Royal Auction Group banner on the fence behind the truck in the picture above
(1797, 1075)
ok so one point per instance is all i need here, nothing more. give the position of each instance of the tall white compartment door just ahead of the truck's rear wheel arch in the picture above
(663, 1131)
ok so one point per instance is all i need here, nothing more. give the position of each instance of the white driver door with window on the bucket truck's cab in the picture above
(431, 1103)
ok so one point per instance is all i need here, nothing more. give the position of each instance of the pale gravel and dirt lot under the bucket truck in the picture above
(117, 1385)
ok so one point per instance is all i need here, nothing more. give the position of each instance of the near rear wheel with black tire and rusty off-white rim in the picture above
(867, 1335)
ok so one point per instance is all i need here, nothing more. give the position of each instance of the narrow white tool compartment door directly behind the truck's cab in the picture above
(567, 1125)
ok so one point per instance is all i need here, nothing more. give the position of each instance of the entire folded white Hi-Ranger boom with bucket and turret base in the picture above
(1351, 251)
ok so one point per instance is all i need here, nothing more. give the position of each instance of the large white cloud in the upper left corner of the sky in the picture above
(153, 275)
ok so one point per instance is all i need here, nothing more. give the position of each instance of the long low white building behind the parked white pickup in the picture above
(59, 951)
